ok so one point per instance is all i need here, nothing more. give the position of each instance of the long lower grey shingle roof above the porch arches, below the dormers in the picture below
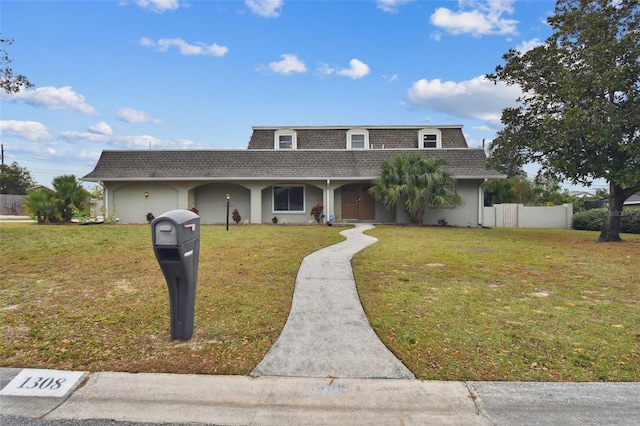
(271, 164)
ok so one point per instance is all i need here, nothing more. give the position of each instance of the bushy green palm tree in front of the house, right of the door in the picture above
(415, 183)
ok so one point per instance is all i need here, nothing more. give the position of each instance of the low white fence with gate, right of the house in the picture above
(521, 216)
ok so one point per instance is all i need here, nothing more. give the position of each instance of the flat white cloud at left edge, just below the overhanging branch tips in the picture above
(53, 98)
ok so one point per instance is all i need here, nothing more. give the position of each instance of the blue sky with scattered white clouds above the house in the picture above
(198, 74)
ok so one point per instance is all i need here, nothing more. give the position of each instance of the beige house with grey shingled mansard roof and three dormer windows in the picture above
(285, 171)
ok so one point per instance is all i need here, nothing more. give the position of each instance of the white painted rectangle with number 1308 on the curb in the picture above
(45, 383)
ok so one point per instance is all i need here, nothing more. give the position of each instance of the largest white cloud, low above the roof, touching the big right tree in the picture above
(477, 99)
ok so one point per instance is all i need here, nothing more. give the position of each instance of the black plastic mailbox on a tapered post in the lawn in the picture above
(176, 243)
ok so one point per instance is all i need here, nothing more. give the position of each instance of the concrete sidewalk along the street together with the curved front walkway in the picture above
(327, 368)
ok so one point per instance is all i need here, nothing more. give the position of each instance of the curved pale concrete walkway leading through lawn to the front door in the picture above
(327, 333)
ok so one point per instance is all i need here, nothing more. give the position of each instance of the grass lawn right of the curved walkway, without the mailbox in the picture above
(505, 304)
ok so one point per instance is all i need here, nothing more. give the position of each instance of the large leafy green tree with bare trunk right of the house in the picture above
(578, 115)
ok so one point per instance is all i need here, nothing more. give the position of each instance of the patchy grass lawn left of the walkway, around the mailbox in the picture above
(94, 298)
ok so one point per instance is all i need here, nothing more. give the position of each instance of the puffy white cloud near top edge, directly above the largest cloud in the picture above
(476, 18)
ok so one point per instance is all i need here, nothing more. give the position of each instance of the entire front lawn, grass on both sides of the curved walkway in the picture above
(453, 304)
